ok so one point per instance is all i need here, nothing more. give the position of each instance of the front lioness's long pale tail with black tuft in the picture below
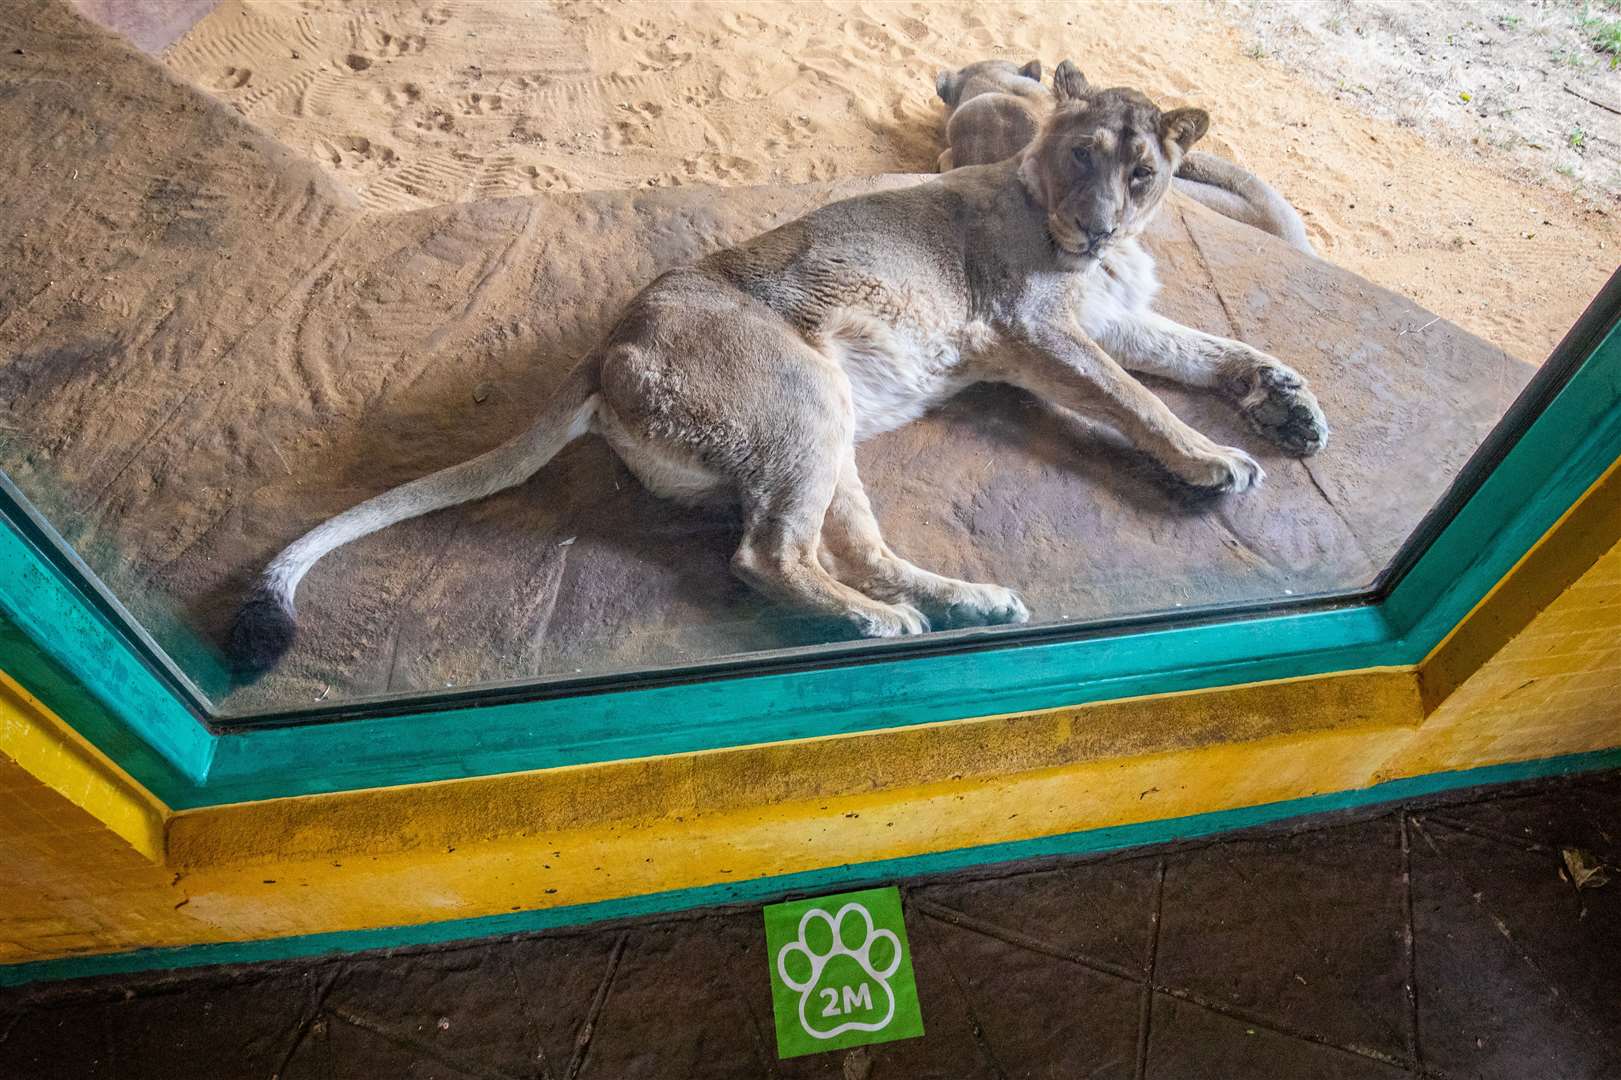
(267, 624)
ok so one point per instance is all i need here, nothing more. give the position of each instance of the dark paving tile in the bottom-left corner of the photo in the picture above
(190, 1029)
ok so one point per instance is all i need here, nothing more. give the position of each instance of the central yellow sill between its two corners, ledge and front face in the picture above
(404, 857)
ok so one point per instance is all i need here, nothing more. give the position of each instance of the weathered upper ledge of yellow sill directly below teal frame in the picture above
(638, 795)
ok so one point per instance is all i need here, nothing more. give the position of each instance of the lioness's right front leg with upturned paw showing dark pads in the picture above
(1273, 396)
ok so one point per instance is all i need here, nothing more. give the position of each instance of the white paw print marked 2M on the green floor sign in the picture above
(840, 966)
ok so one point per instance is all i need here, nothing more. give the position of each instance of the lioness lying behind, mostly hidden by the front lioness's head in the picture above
(994, 111)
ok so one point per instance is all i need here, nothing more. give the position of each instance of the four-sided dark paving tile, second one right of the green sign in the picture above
(1304, 932)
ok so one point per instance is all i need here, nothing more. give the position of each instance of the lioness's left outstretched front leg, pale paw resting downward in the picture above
(1067, 369)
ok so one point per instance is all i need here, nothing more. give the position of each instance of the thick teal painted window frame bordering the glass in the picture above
(69, 651)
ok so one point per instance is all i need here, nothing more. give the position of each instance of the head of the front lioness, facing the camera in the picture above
(1103, 163)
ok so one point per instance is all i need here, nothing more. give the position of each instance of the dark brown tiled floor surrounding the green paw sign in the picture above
(1435, 940)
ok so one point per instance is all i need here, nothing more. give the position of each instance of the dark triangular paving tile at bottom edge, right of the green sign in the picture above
(1191, 1044)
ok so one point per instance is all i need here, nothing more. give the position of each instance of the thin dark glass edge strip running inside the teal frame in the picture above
(1568, 358)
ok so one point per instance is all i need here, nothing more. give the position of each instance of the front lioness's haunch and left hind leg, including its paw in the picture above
(706, 392)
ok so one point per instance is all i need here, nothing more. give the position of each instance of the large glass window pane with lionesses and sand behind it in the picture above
(294, 257)
